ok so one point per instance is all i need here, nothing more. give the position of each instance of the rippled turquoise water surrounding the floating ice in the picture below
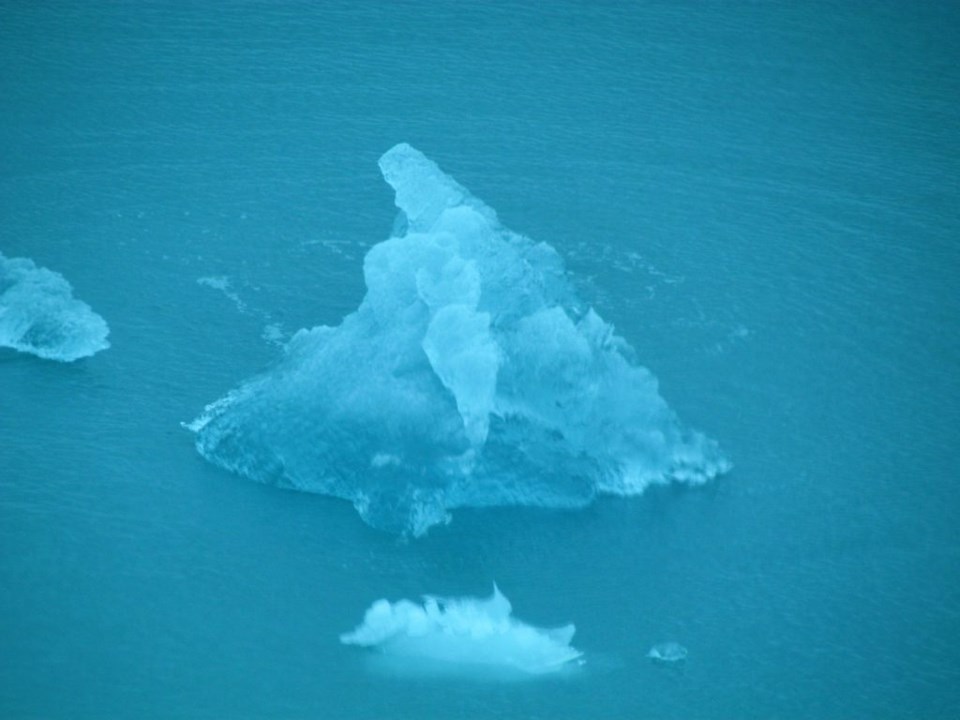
(761, 199)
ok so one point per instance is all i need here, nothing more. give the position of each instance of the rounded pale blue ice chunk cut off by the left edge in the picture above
(39, 315)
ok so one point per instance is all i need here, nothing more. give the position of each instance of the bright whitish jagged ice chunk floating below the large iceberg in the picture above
(467, 632)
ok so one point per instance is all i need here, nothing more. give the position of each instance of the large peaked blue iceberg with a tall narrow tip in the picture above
(470, 375)
